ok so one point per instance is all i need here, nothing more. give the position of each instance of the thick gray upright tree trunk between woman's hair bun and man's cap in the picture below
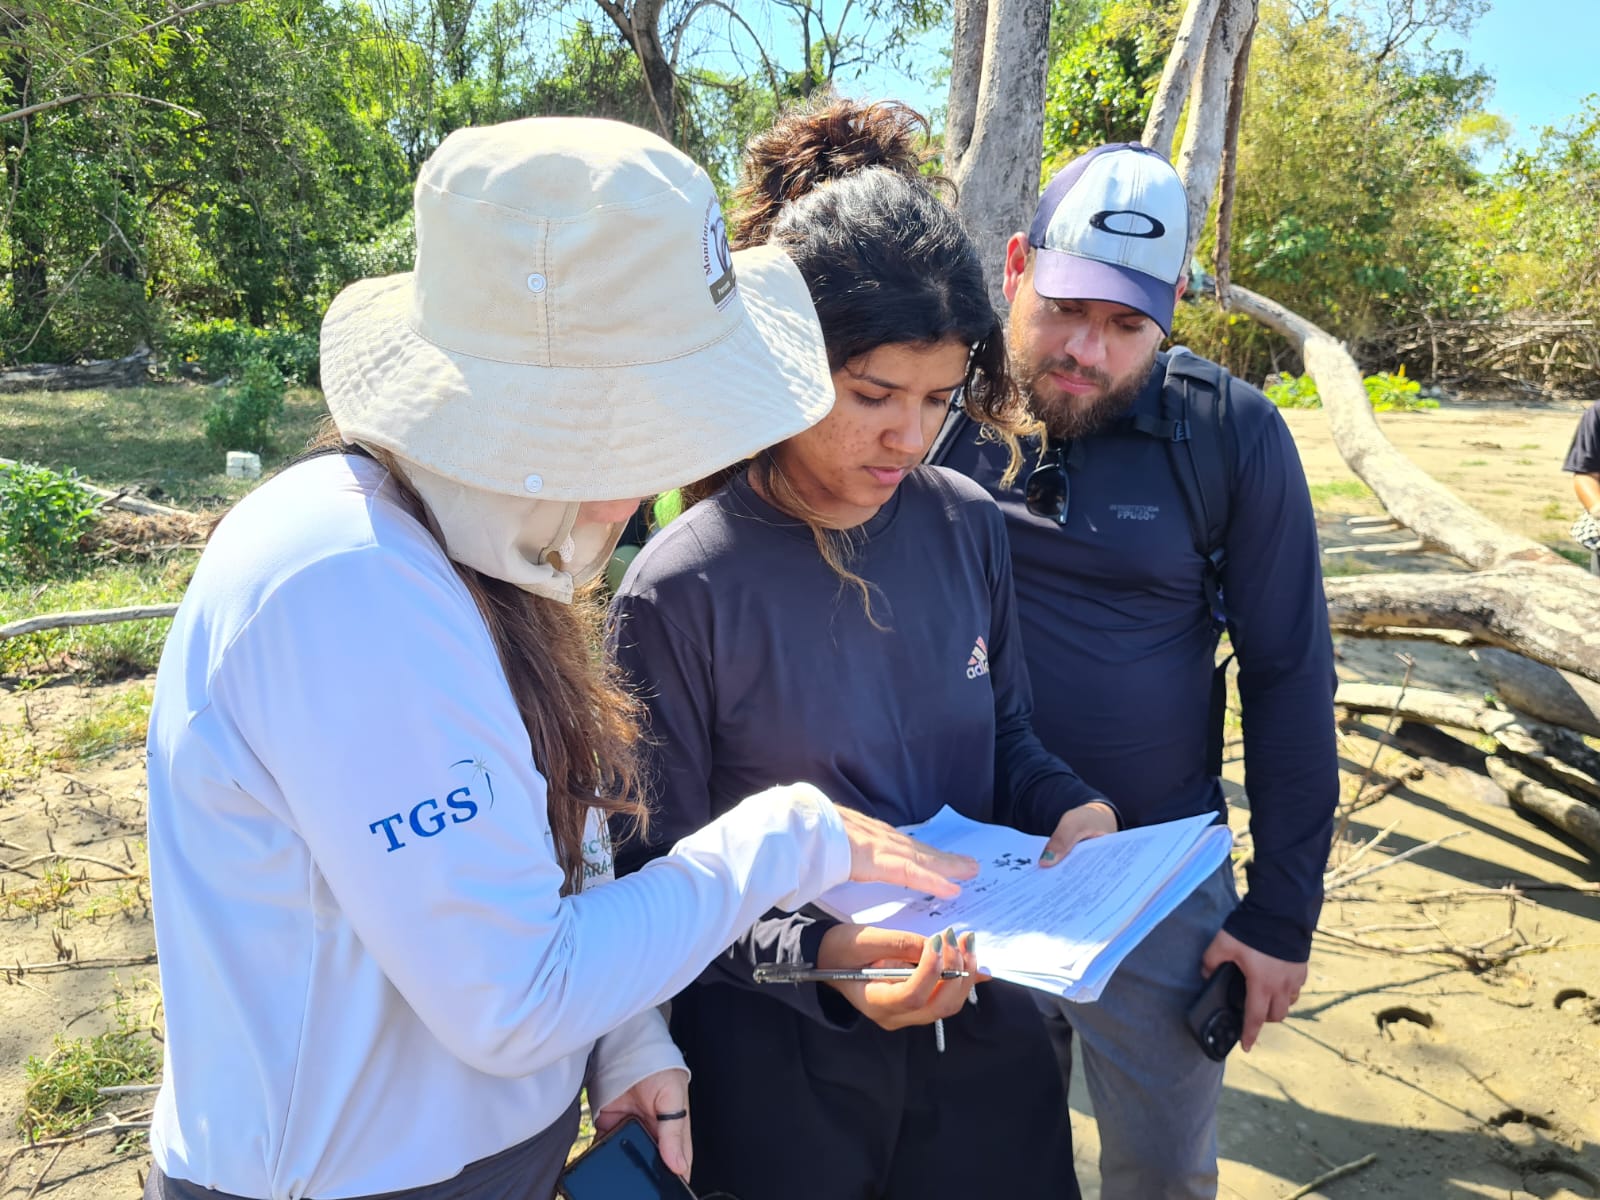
(998, 174)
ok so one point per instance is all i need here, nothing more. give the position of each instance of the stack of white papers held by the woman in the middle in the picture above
(1065, 929)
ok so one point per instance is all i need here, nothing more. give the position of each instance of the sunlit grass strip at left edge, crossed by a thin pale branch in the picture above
(98, 652)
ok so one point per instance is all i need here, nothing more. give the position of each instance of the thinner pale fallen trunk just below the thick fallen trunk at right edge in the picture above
(1553, 750)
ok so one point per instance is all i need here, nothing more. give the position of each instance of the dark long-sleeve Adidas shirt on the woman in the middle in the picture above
(759, 666)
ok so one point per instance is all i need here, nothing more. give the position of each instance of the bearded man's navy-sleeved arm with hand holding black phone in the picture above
(1279, 630)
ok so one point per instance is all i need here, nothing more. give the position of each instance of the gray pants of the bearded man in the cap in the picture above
(1154, 1094)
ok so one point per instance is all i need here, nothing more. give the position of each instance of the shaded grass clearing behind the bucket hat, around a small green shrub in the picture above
(153, 438)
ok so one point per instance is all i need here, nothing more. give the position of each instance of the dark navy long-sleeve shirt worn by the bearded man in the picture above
(1121, 646)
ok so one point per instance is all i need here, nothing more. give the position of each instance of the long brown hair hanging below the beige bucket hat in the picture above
(583, 724)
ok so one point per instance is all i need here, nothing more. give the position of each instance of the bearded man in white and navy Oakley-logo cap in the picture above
(1118, 620)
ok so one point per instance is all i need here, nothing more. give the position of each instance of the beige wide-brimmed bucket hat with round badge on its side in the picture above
(575, 326)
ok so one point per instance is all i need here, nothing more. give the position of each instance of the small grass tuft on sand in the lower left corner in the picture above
(62, 1090)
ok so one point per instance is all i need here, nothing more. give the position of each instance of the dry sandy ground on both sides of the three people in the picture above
(1466, 1073)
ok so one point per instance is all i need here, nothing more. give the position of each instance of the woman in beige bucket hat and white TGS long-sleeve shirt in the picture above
(382, 750)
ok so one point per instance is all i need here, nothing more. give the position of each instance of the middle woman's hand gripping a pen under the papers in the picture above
(895, 1004)
